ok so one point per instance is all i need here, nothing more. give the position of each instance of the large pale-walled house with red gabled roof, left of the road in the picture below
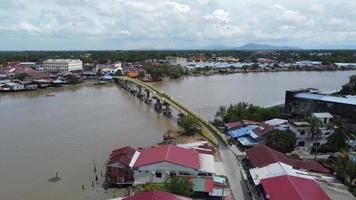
(156, 164)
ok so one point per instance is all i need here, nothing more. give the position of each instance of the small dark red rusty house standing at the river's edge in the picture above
(119, 167)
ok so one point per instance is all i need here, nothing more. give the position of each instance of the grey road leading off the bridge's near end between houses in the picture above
(232, 169)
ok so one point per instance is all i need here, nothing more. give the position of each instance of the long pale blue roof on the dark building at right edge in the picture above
(327, 98)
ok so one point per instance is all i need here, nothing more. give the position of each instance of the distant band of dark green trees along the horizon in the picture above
(133, 56)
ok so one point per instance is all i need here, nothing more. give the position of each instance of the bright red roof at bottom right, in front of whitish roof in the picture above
(292, 188)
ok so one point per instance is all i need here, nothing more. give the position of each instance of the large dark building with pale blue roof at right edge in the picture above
(300, 104)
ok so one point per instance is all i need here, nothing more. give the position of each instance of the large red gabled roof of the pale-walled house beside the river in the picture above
(169, 153)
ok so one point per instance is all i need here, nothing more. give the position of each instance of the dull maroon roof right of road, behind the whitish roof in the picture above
(262, 155)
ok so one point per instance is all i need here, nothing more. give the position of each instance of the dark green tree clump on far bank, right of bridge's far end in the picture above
(161, 71)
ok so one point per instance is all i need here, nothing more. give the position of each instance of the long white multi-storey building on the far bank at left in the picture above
(57, 65)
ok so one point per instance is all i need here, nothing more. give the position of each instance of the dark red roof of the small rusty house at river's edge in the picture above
(123, 155)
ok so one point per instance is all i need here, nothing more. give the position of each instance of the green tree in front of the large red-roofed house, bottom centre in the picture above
(179, 185)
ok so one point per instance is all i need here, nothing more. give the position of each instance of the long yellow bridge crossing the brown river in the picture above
(207, 129)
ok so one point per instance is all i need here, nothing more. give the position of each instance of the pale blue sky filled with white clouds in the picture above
(175, 24)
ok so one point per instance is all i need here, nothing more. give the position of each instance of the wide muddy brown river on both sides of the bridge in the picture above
(82, 124)
